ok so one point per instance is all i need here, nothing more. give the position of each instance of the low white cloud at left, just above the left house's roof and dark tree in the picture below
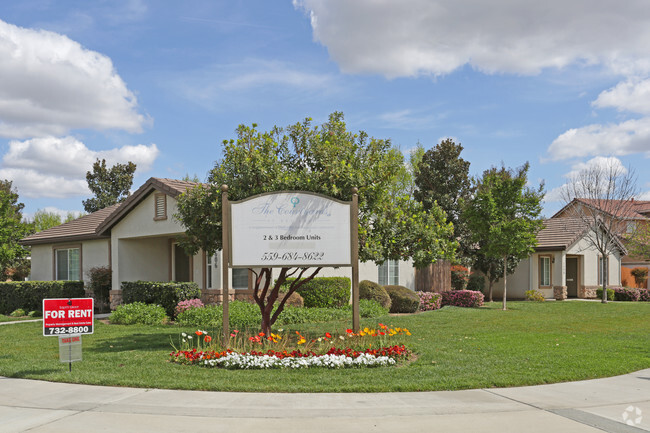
(56, 167)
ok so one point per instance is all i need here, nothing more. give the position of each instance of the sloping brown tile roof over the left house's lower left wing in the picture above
(83, 228)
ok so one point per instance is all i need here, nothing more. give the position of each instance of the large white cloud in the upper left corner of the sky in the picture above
(51, 84)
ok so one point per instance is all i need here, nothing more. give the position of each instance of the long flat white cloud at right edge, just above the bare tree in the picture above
(631, 136)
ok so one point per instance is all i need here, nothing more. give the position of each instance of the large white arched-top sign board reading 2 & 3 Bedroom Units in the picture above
(290, 229)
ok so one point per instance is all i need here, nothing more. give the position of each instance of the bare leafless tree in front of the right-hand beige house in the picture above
(602, 198)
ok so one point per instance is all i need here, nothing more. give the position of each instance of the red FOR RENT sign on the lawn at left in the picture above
(67, 316)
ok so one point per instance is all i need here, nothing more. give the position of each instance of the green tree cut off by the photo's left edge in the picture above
(12, 229)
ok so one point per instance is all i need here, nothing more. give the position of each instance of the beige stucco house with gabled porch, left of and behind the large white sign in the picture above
(138, 240)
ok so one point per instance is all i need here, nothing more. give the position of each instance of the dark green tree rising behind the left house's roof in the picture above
(110, 186)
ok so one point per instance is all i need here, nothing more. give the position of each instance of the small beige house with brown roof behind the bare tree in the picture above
(564, 259)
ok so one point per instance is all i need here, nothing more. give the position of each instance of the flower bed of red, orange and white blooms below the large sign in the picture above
(277, 351)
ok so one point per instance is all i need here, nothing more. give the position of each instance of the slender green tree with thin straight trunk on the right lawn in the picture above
(503, 216)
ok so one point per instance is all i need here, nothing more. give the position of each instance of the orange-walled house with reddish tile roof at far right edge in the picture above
(630, 215)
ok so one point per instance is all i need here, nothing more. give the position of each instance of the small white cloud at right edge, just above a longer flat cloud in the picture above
(631, 95)
